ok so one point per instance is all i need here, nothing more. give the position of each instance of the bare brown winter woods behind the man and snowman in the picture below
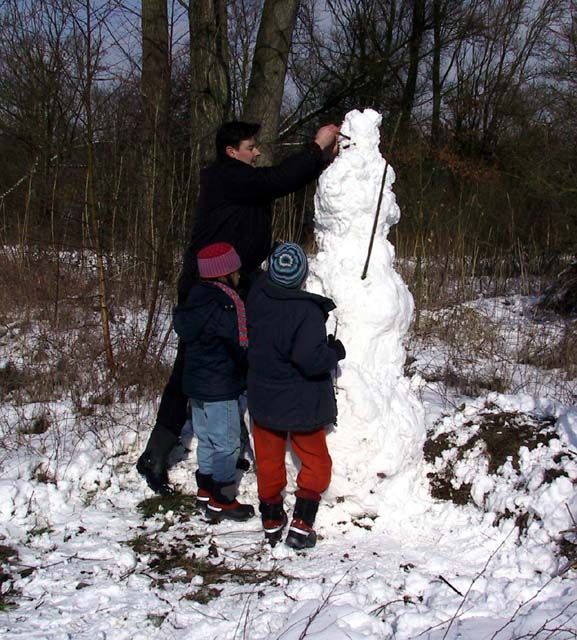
(108, 111)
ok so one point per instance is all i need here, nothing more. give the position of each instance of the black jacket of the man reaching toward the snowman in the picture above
(234, 206)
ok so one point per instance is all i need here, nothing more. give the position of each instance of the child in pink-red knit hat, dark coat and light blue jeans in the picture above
(212, 324)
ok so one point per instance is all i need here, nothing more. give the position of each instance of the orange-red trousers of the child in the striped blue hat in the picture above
(310, 448)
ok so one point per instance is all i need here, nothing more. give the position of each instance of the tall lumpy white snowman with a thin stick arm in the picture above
(381, 429)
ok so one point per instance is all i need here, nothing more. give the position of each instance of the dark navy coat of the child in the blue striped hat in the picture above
(289, 381)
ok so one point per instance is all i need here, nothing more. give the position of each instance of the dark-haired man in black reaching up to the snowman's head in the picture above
(235, 206)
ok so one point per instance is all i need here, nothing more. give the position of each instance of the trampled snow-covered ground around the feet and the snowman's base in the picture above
(82, 560)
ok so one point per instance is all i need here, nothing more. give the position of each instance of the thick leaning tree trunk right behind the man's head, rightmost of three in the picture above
(266, 86)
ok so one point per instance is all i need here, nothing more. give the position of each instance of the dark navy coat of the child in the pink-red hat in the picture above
(214, 362)
